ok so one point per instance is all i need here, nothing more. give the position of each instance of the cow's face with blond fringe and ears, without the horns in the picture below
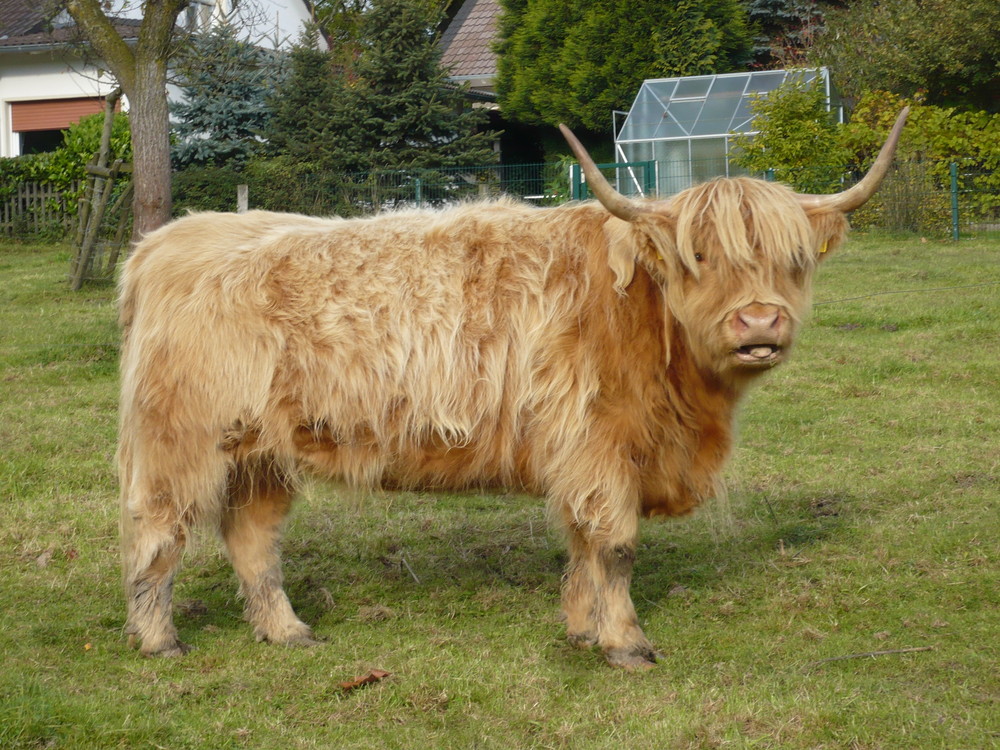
(736, 259)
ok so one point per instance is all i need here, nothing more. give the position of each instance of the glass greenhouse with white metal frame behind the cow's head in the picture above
(685, 124)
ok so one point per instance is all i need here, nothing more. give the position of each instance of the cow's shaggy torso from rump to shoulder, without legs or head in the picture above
(358, 344)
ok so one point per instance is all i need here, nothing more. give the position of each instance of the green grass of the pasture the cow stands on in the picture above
(862, 516)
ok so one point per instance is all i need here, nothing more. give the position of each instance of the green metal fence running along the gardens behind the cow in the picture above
(942, 199)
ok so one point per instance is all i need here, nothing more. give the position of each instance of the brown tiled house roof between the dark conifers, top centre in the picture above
(467, 43)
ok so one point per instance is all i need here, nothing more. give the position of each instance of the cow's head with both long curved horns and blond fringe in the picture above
(734, 257)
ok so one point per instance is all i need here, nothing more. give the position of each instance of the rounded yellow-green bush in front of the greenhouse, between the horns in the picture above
(797, 138)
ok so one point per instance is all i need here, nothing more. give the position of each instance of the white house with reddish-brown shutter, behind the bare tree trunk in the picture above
(49, 79)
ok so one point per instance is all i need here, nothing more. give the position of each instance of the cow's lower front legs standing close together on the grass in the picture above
(596, 601)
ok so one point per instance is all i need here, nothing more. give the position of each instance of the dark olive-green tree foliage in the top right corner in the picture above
(948, 51)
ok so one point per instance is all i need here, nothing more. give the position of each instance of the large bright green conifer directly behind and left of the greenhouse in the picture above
(575, 61)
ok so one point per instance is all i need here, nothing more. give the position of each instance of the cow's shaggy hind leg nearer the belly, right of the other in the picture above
(259, 499)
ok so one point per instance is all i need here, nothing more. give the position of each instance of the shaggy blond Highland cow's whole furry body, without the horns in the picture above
(558, 351)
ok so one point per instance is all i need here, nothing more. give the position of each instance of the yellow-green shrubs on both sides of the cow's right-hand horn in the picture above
(806, 149)
